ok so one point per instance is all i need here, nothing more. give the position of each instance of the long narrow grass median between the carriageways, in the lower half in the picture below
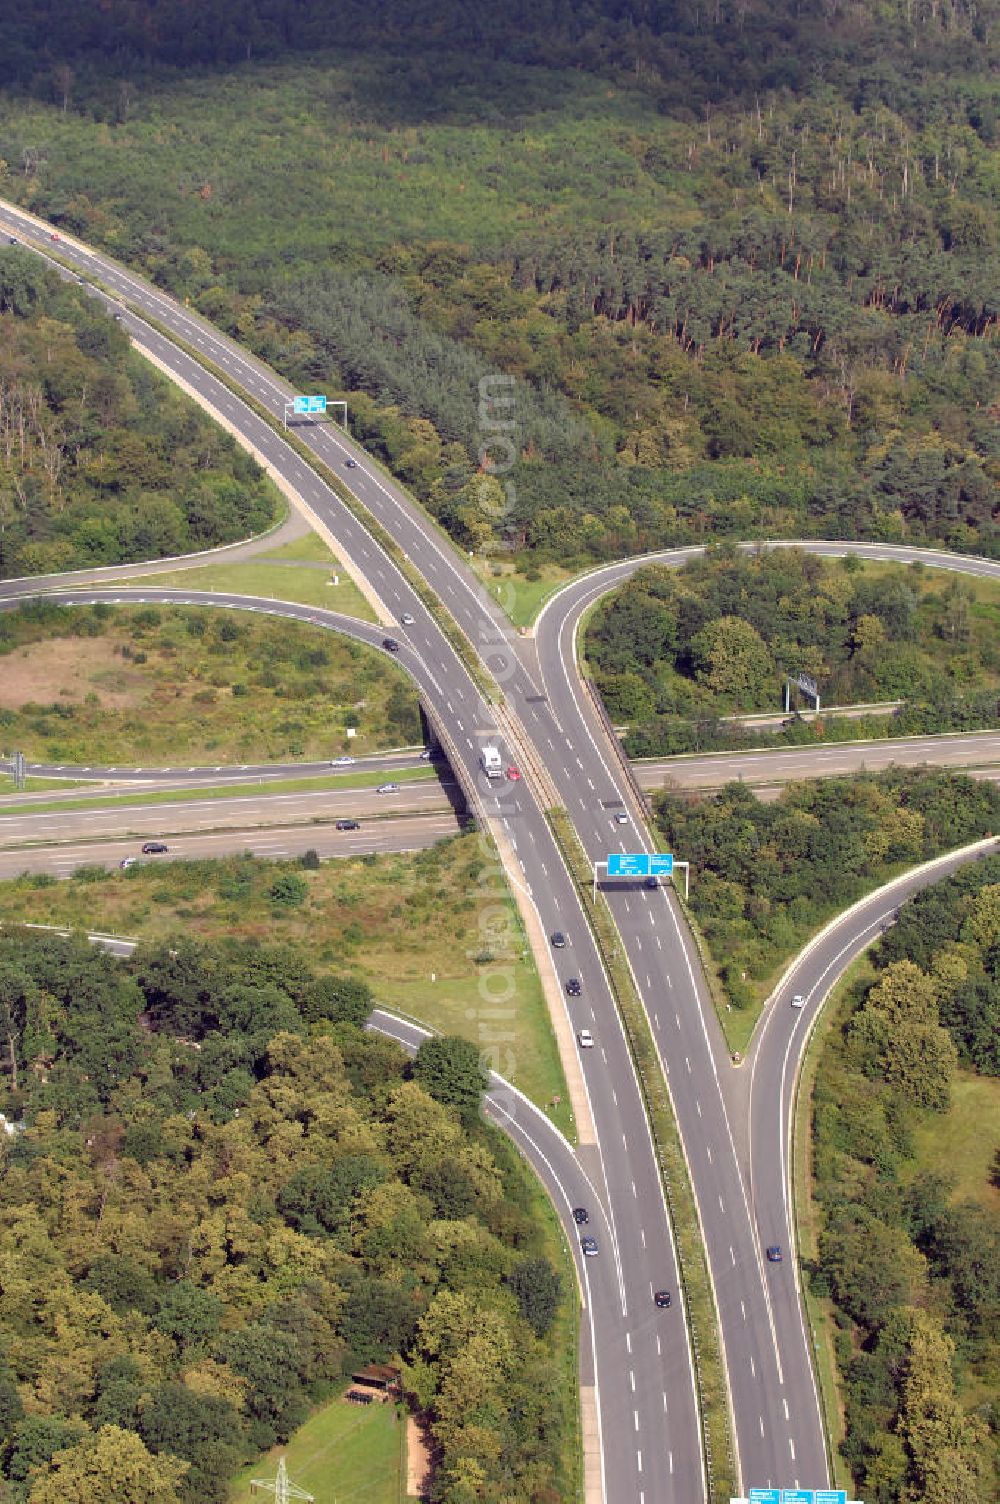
(695, 1282)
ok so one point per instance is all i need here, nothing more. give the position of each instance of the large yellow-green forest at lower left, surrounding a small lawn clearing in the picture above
(219, 1196)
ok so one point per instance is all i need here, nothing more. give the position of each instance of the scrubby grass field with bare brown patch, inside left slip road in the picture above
(135, 685)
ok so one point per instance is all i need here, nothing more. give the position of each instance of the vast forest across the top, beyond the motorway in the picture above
(742, 261)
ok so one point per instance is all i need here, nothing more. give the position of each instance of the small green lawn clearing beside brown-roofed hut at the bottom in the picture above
(345, 1452)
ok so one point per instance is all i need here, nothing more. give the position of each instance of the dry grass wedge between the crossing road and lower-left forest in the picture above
(434, 933)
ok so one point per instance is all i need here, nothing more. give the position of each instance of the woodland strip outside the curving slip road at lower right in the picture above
(911, 1258)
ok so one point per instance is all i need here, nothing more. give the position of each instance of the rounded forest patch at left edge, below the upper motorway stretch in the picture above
(102, 459)
